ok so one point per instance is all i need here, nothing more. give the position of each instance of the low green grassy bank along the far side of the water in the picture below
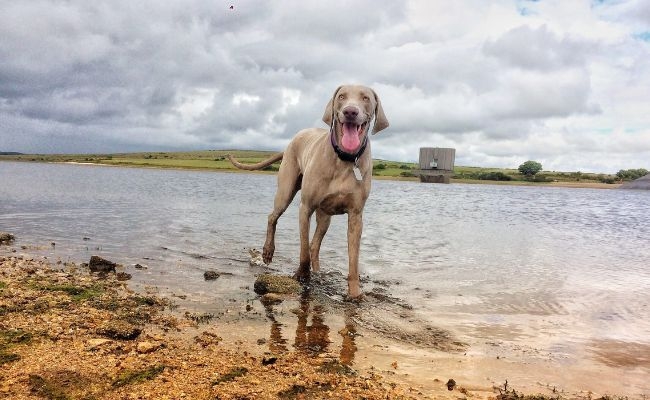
(215, 160)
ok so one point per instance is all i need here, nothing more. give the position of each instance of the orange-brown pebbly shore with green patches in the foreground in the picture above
(69, 334)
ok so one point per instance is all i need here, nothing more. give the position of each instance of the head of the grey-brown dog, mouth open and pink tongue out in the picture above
(351, 110)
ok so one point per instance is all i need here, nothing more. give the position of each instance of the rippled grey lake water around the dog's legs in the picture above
(549, 276)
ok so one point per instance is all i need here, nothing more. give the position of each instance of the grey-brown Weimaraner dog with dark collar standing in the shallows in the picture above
(332, 169)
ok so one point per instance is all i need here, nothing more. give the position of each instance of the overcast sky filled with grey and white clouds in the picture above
(562, 82)
